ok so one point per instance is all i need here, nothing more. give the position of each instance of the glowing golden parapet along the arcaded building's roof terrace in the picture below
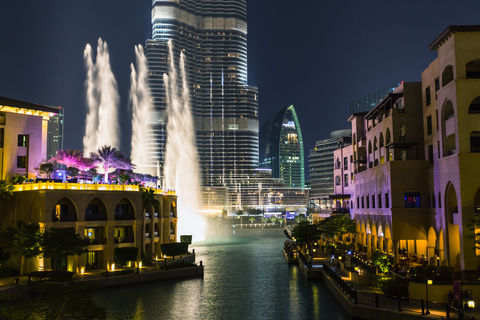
(83, 186)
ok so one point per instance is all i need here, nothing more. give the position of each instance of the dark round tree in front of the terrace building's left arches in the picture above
(58, 242)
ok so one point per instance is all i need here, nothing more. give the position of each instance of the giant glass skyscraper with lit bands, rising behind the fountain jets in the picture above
(213, 37)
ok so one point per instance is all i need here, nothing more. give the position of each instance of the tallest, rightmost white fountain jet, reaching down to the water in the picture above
(181, 160)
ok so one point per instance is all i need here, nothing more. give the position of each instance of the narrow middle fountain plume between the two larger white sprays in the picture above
(140, 99)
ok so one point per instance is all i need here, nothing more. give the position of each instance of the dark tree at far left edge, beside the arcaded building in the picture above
(22, 241)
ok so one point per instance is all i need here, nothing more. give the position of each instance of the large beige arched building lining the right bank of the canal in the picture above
(416, 155)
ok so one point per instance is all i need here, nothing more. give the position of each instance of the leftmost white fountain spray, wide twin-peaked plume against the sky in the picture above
(101, 127)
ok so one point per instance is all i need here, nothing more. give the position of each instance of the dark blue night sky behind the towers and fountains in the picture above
(316, 55)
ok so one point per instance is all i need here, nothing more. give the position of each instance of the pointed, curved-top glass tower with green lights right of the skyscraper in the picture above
(281, 148)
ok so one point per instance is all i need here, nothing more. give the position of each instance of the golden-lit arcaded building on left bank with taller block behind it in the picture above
(111, 216)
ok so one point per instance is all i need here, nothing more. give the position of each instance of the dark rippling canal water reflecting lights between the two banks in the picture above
(246, 277)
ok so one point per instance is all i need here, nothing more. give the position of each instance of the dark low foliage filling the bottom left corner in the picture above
(73, 301)
